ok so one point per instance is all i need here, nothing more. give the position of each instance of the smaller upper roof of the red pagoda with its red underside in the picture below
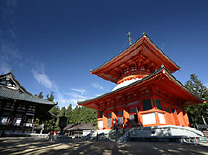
(143, 49)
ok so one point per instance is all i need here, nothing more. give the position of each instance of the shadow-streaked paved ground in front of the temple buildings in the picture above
(22, 145)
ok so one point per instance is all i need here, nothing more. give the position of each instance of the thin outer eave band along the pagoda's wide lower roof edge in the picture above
(170, 79)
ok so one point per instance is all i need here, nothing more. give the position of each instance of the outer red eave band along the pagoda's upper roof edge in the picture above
(103, 70)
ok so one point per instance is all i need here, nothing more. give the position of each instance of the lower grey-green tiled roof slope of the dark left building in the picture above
(6, 93)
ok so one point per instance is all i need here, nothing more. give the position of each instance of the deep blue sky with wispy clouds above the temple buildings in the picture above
(51, 45)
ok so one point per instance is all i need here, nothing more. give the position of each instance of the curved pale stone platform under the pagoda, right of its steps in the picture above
(167, 133)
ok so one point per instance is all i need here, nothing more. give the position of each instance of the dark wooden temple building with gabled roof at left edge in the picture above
(19, 108)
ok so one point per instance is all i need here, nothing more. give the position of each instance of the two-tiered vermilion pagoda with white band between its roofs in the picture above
(146, 93)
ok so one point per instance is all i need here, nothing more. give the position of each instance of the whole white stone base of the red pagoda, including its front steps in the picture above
(168, 133)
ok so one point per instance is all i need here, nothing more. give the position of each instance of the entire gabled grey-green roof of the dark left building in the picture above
(10, 88)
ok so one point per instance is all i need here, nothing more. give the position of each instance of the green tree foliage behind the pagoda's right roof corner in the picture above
(198, 114)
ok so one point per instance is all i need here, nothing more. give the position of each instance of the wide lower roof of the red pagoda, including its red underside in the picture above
(165, 81)
